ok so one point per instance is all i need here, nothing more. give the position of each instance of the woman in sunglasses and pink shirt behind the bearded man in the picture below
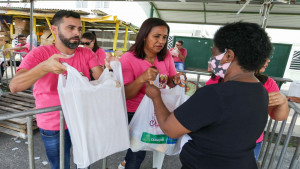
(89, 40)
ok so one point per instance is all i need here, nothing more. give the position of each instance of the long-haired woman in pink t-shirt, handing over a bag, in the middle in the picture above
(146, 59)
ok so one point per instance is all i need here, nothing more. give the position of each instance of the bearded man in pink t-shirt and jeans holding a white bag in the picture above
(41, 67)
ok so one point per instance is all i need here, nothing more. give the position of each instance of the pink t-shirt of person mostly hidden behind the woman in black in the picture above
(270, 86)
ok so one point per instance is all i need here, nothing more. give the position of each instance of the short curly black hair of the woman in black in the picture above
(249, 42)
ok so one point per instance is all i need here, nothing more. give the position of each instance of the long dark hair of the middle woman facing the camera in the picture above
(146, 27)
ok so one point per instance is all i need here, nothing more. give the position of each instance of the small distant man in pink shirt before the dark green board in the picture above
(179, 55)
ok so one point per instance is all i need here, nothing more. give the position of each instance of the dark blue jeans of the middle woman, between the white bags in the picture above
(134, 159)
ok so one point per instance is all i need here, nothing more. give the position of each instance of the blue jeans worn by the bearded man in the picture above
(51, 142)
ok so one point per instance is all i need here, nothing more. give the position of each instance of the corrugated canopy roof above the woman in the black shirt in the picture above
(214, 12)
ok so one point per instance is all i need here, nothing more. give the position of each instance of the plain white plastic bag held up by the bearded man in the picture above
(95, 114)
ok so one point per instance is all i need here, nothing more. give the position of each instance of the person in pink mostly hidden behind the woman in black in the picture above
(278, 105)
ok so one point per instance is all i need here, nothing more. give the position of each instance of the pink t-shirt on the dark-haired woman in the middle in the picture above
(133, 67)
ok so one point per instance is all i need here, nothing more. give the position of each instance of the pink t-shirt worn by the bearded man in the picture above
(45, 89)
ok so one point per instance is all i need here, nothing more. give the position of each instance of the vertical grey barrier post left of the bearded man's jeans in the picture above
(30, 142)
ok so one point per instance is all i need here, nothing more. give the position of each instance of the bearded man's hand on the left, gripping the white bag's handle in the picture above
(54, 65)
